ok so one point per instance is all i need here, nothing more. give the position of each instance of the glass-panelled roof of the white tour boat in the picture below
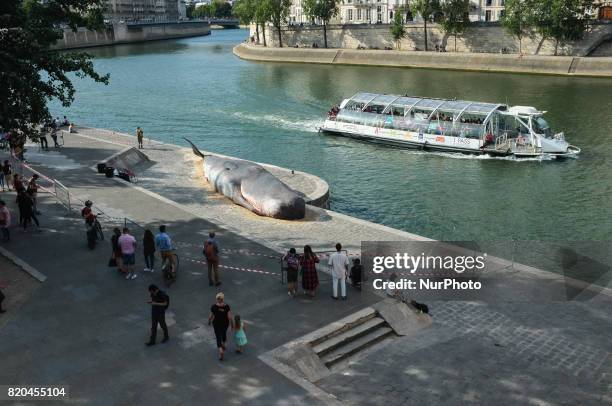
(444, 105)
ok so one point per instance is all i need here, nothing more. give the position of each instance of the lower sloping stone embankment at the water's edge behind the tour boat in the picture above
(555, 65)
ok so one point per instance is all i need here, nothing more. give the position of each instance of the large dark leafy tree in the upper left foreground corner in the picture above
(33, 73)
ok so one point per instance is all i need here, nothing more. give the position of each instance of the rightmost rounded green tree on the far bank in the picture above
(561, 20)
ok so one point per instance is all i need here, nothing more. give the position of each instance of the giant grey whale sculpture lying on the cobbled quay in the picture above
(251, 186)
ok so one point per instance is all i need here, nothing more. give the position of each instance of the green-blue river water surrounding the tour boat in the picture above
(269, 112)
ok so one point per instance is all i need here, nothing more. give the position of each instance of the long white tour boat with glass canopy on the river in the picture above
(448, 125)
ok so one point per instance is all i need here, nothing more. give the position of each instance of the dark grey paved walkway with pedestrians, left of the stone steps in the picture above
(86, 326)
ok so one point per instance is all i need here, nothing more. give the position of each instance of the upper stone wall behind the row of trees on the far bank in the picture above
(477, 39)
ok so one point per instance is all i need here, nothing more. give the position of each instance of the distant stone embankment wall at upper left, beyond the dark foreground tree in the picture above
(122, 33)
